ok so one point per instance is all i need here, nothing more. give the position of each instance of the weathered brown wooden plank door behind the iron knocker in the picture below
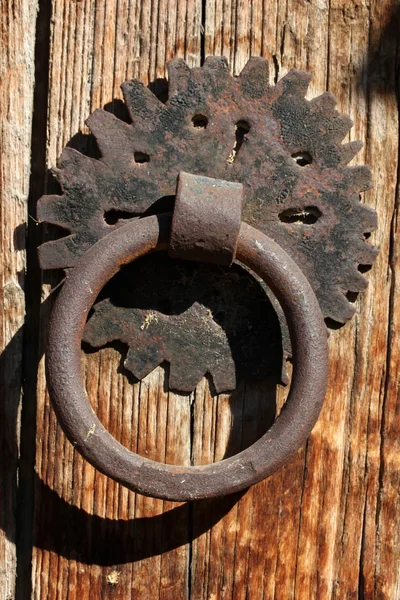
(327, 524)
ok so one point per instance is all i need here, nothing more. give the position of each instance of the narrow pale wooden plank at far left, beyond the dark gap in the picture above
(17, 32)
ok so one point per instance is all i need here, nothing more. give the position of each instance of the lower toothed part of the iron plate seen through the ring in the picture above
(200, 318)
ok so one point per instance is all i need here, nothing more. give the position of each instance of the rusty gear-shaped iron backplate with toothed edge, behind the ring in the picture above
(287, 153)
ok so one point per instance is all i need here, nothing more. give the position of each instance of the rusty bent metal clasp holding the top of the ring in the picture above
(206, 220)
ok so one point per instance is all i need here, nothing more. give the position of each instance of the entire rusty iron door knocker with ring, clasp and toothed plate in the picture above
(228, 168)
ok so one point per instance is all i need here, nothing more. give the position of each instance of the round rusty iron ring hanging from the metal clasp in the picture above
(103, 451)
